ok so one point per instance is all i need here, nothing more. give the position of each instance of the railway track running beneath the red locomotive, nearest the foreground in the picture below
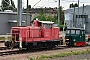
(17, 51)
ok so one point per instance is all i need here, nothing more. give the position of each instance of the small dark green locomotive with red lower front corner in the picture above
(75, 37)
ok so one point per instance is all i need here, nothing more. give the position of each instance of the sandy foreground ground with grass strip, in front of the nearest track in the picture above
(51, 54)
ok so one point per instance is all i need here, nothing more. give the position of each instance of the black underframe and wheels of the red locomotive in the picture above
(35, 45)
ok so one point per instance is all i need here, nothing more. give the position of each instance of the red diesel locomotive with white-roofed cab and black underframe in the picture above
(42, 34)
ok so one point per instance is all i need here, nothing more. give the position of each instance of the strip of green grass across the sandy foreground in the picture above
(43, 57)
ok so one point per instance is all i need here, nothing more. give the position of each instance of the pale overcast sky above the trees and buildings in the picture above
(52, 3)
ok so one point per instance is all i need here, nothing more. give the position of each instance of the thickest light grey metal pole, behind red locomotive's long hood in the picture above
(19, 12)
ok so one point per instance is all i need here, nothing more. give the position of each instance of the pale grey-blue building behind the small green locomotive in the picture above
(78, 17)
